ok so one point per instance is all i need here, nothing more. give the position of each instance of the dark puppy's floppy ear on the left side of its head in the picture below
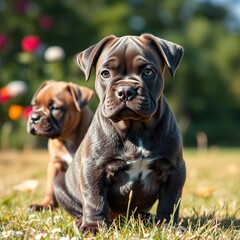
(88, 58)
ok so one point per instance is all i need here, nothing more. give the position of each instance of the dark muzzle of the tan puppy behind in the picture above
(43, 127)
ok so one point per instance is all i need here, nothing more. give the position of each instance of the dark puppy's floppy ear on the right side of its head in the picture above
(171, 52)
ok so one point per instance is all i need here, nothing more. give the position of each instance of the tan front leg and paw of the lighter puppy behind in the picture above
(49, 201)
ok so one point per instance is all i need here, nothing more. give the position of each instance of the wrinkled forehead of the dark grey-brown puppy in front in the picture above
(128, 49)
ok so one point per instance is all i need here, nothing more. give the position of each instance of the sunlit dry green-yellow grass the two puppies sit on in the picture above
(209, 209)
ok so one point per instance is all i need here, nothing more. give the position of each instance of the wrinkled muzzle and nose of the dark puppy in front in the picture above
(131, 102)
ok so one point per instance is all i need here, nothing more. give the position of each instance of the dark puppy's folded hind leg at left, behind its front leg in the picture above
(65, 200)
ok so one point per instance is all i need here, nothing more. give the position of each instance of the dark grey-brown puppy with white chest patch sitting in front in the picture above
(133, 146)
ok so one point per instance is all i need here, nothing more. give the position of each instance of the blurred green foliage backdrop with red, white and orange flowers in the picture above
(39, 40)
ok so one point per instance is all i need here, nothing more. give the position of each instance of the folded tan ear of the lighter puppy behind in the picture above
(81, 95)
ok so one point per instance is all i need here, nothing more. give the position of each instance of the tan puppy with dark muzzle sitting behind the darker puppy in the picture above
(60, 114)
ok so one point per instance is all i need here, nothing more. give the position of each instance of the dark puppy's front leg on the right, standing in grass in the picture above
(170, 196)
